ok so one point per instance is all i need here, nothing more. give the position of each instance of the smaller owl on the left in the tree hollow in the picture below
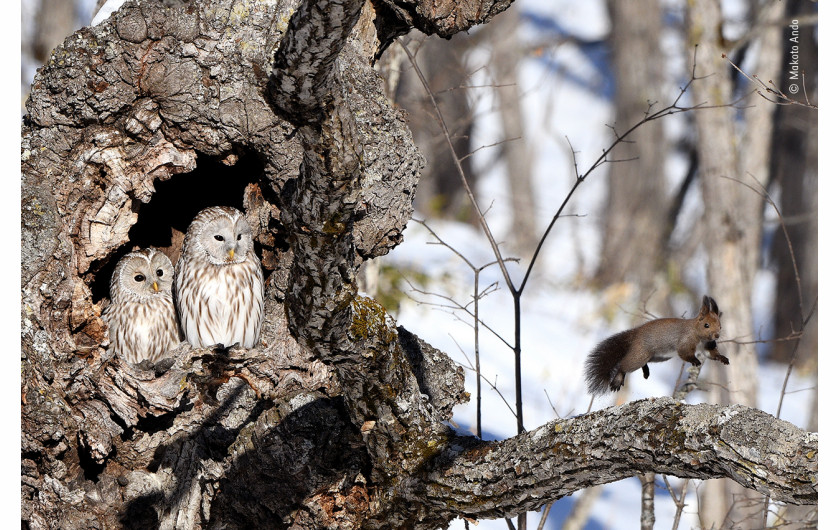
(141, 319)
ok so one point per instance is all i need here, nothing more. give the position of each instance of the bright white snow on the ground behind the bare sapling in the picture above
(562, 318)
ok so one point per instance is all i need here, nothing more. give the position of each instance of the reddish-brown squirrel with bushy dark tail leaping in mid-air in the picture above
(653, 342)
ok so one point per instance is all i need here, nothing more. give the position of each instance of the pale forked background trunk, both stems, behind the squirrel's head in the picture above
(733, 219)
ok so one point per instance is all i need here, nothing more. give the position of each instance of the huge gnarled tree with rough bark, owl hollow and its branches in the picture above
(338, 418)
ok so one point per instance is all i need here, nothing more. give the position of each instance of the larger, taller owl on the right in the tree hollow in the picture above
(218, 281)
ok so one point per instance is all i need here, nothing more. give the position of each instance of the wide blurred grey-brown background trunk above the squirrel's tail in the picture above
(636, 212)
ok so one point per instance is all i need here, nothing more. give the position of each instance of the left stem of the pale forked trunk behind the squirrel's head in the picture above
(717, 158)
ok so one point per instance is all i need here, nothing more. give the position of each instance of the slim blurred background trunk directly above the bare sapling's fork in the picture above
(517, 152)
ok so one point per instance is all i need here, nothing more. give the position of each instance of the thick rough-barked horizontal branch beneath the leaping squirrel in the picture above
(501, 479)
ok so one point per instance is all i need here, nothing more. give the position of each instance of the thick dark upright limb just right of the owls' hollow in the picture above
(401, 429)
